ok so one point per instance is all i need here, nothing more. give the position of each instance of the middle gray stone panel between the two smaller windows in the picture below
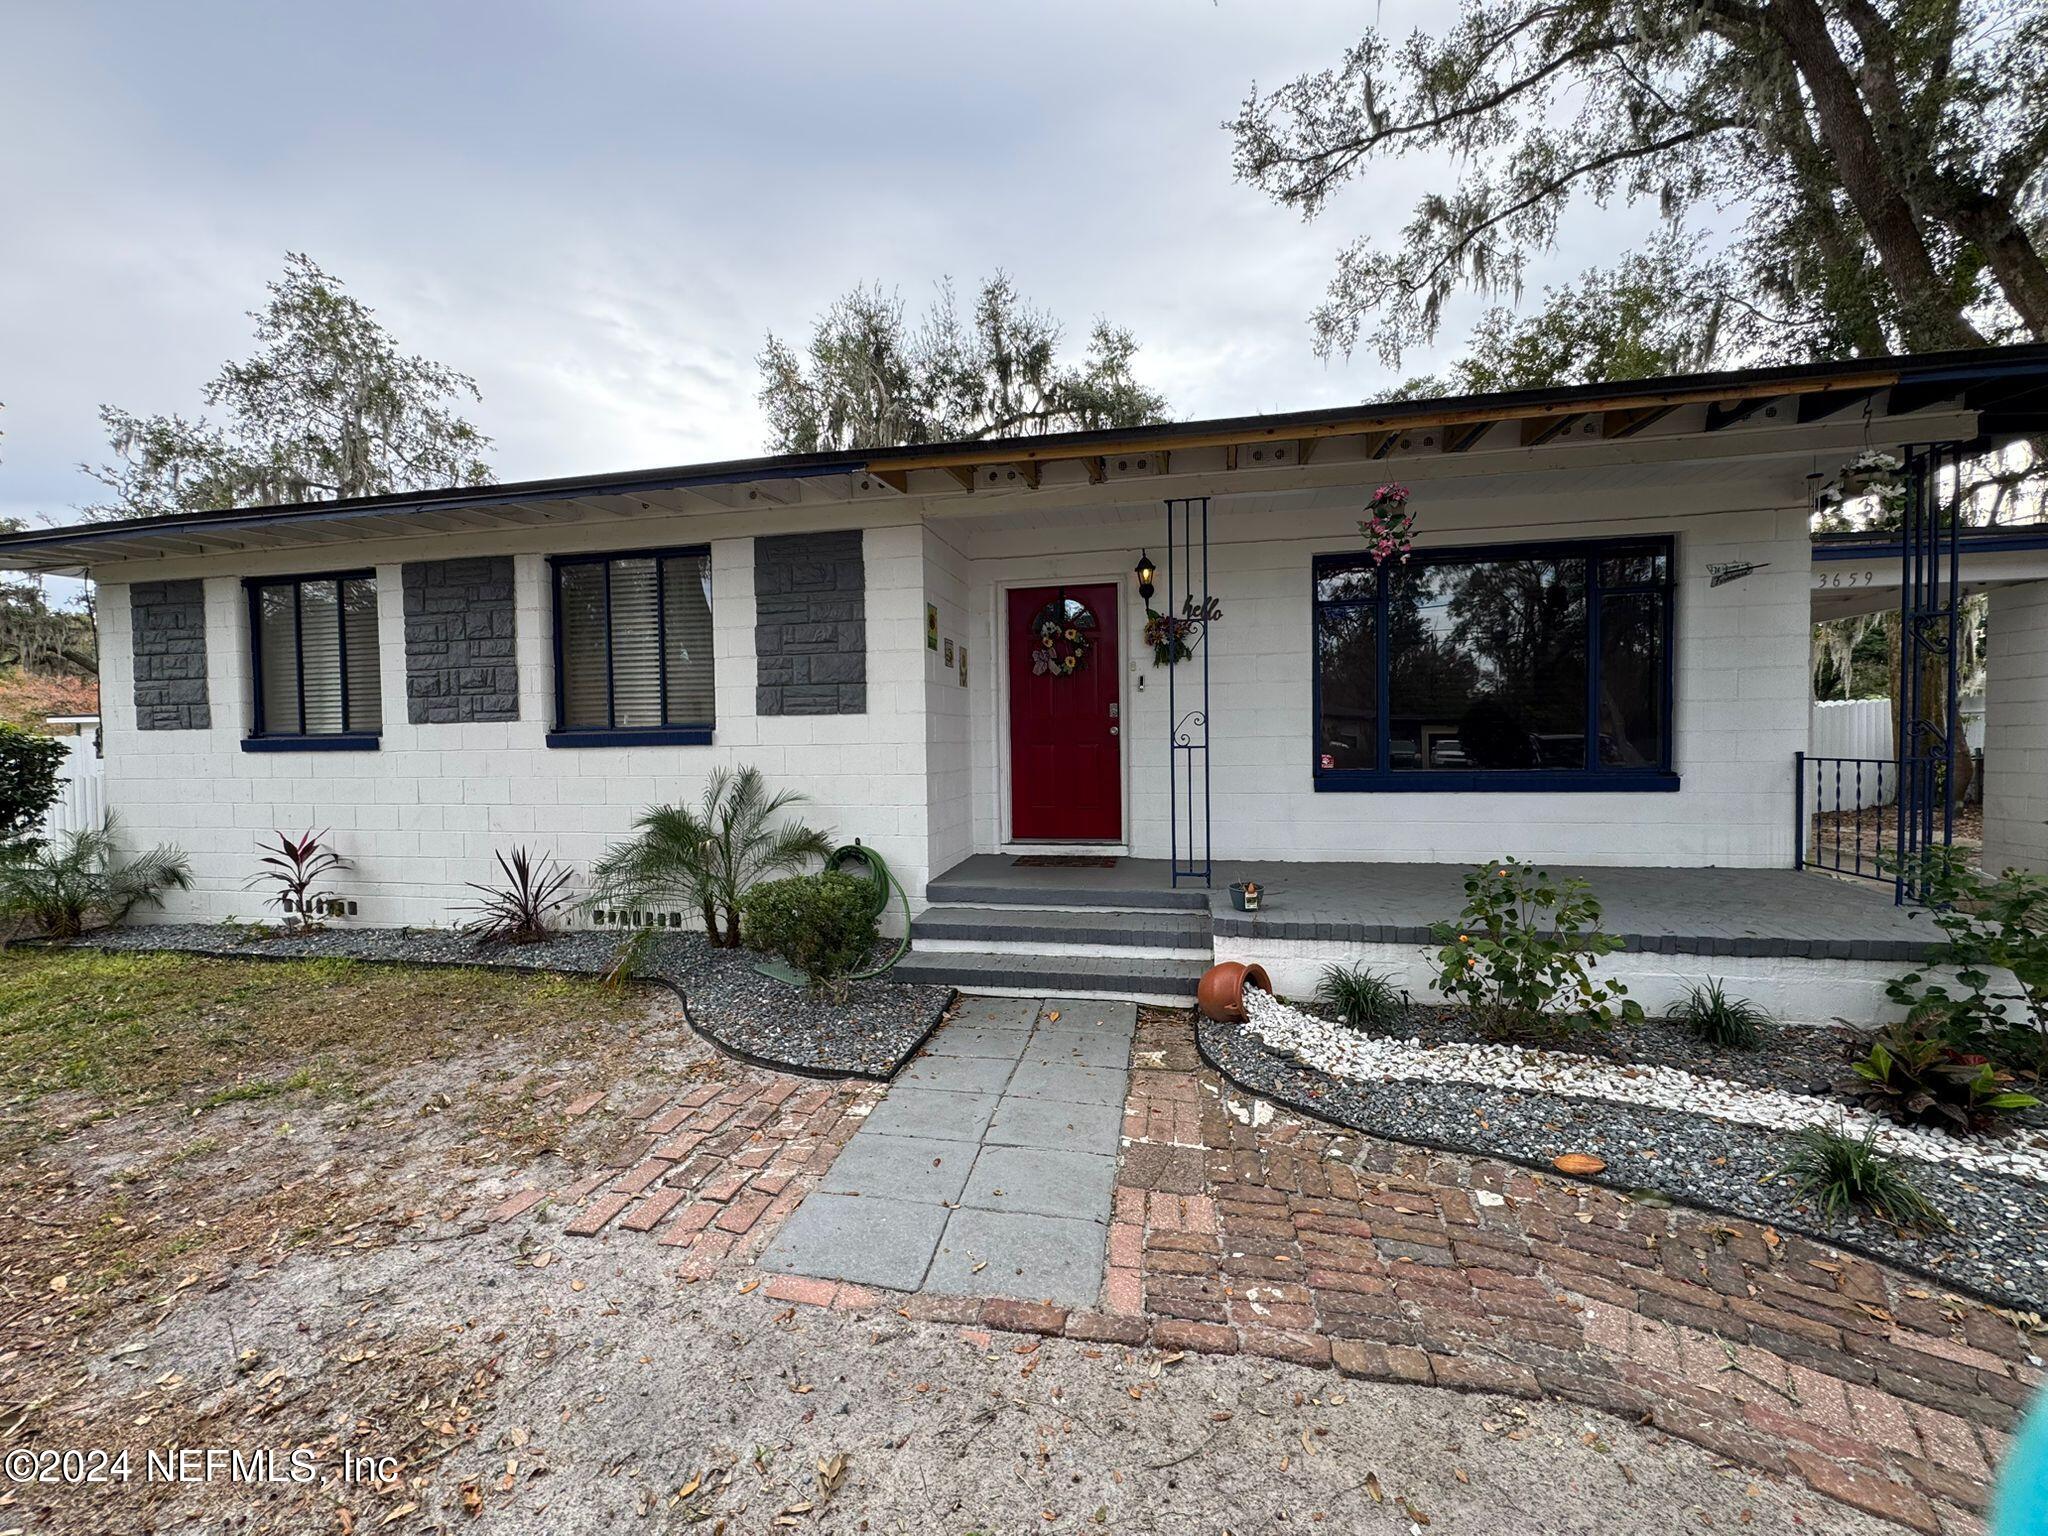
(462, 642)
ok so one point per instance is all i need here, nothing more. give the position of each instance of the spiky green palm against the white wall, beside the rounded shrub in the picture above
(710, 857)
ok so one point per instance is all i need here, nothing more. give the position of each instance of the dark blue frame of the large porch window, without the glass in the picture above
(1594, 777)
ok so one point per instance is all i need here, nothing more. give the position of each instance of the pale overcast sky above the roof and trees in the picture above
(599, 210)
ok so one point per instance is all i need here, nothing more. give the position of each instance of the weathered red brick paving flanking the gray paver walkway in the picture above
(1246, 1230)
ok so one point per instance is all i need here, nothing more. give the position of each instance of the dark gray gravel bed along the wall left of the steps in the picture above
(757, 1019)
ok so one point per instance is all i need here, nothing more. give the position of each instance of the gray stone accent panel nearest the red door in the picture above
(810, 626)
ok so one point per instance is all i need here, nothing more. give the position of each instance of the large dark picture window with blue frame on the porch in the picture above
(1525, 667)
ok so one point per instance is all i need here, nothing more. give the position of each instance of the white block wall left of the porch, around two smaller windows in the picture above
(425, 814)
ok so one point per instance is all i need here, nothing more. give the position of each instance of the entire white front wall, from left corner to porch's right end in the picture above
(923, 773)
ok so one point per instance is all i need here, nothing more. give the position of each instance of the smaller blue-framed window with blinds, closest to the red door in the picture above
(634, 648)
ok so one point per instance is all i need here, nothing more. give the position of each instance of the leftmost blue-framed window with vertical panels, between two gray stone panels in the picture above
(314, 644)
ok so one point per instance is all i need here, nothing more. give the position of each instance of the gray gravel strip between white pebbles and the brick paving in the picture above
(1998, 1248)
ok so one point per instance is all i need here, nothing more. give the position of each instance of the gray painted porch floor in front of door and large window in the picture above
(1748, 912)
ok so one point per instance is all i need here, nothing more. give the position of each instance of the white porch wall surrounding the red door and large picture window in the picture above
(1740, 683)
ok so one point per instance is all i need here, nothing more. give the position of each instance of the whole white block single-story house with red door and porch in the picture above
(1598, 656)
